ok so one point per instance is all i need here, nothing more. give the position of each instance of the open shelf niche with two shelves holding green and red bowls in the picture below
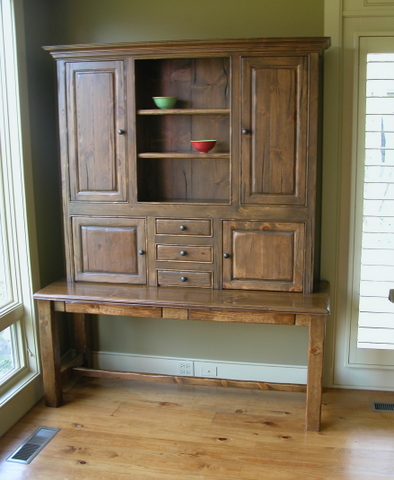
(168, 168)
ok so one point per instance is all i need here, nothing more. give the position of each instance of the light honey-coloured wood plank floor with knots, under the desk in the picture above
(115, 430)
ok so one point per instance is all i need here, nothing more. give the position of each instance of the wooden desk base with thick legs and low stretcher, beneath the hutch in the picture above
(277, 308)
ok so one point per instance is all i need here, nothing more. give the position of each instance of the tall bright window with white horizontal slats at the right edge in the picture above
(375, 191)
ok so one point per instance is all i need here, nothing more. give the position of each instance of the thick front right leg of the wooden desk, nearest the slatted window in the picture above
(315, 372)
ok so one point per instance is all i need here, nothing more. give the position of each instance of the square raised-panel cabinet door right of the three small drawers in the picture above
(263, 255)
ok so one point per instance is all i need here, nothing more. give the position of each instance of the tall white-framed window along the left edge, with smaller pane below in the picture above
(18, 349)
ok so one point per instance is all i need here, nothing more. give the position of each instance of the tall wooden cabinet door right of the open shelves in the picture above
(275, 115)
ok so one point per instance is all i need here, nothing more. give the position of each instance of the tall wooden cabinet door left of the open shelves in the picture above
(96, 111)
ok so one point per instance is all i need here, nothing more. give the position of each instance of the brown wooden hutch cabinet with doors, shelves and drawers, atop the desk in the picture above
(143, 205)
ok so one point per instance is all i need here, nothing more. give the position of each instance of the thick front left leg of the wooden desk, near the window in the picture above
(50, 353)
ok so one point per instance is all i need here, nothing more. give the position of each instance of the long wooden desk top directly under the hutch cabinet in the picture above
(317, 303)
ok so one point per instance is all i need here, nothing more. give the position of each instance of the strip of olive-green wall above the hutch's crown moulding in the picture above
(100, 21)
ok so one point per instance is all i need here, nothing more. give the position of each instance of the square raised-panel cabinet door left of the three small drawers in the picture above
(109, 249)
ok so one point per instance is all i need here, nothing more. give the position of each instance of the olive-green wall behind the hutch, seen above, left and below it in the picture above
(102, 21)
